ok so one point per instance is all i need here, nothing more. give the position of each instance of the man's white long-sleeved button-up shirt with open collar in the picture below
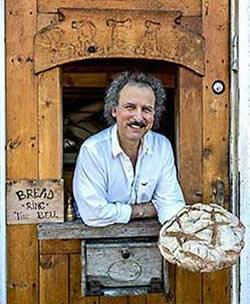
(105, 184)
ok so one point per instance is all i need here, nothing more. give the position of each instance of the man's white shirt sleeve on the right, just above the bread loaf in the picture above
(167, 197)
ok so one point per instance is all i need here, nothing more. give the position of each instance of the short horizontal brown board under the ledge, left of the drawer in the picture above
(60, 246)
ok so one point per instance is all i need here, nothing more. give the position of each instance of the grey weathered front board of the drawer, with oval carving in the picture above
(105, 261)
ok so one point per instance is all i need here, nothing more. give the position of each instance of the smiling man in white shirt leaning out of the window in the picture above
(127, 171)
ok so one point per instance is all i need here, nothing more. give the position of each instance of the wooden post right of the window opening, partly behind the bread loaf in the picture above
(189, 143)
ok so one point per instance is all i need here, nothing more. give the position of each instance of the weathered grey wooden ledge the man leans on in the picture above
(78, 230)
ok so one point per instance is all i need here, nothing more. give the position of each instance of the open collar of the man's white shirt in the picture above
(116, 148)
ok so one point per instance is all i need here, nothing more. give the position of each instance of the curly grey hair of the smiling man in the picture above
(134, 79)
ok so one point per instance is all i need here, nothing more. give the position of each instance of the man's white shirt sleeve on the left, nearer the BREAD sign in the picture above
(90, 192)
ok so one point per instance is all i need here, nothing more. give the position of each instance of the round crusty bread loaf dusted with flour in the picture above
(202, 238)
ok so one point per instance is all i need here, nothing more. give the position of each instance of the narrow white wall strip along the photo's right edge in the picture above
(244, 143)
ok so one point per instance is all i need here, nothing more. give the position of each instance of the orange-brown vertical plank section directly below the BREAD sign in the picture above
(22, 264)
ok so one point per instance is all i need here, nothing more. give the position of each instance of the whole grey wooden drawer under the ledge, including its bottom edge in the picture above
(121, 265)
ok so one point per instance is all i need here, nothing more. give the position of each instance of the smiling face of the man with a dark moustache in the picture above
(134, 113)
